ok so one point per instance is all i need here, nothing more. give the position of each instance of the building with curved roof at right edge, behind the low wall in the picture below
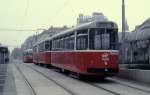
(137, 44)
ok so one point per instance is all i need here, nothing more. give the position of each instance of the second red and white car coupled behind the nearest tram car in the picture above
(42, 52)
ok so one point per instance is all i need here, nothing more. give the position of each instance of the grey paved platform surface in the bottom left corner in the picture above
(7, 84)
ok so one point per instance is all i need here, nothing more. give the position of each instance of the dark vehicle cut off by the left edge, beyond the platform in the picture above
(4, 55)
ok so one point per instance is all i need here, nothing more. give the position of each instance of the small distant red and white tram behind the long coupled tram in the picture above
(28, 56)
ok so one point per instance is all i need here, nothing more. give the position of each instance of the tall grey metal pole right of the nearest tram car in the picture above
(123, 31)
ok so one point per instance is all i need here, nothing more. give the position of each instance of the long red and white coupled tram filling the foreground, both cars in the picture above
(87, 49)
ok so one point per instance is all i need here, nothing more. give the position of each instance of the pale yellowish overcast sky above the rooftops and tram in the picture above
(33, 14)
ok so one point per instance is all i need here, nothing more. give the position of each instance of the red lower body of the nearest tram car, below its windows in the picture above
(87, 62)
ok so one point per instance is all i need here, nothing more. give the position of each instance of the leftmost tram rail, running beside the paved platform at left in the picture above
(33, 92)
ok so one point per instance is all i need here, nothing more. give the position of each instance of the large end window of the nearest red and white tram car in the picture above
(103, 39)
